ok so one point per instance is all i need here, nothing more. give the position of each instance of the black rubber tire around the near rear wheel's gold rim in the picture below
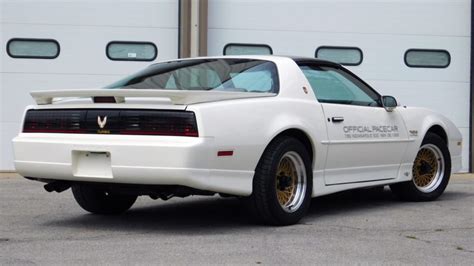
(264, 203)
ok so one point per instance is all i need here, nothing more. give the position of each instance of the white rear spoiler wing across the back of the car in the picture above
(178, 97)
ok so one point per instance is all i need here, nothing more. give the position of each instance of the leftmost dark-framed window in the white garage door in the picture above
(33, 48)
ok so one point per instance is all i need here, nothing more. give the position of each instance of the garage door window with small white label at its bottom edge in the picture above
(131, 51)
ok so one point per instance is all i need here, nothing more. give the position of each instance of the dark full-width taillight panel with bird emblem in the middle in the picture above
(112, 121)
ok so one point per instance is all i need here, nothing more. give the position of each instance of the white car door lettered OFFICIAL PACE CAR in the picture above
(347, 146)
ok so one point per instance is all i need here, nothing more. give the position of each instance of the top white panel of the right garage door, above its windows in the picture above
(367, 16)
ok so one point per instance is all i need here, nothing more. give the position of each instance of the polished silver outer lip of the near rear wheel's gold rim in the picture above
(299, 195)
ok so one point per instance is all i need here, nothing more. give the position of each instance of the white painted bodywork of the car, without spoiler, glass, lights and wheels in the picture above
(173, 160)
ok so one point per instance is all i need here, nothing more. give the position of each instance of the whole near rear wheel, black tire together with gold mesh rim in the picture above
(282, 183)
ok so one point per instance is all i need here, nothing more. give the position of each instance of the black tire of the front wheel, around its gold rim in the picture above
(410, 191)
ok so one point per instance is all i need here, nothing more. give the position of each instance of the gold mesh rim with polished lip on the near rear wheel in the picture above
(290, 182)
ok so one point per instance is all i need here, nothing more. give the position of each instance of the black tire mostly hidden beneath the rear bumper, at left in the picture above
(98, 201)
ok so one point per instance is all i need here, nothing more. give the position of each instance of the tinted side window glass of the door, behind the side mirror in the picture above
(332, 85)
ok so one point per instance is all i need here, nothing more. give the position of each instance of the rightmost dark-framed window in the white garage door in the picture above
(427, 58)
